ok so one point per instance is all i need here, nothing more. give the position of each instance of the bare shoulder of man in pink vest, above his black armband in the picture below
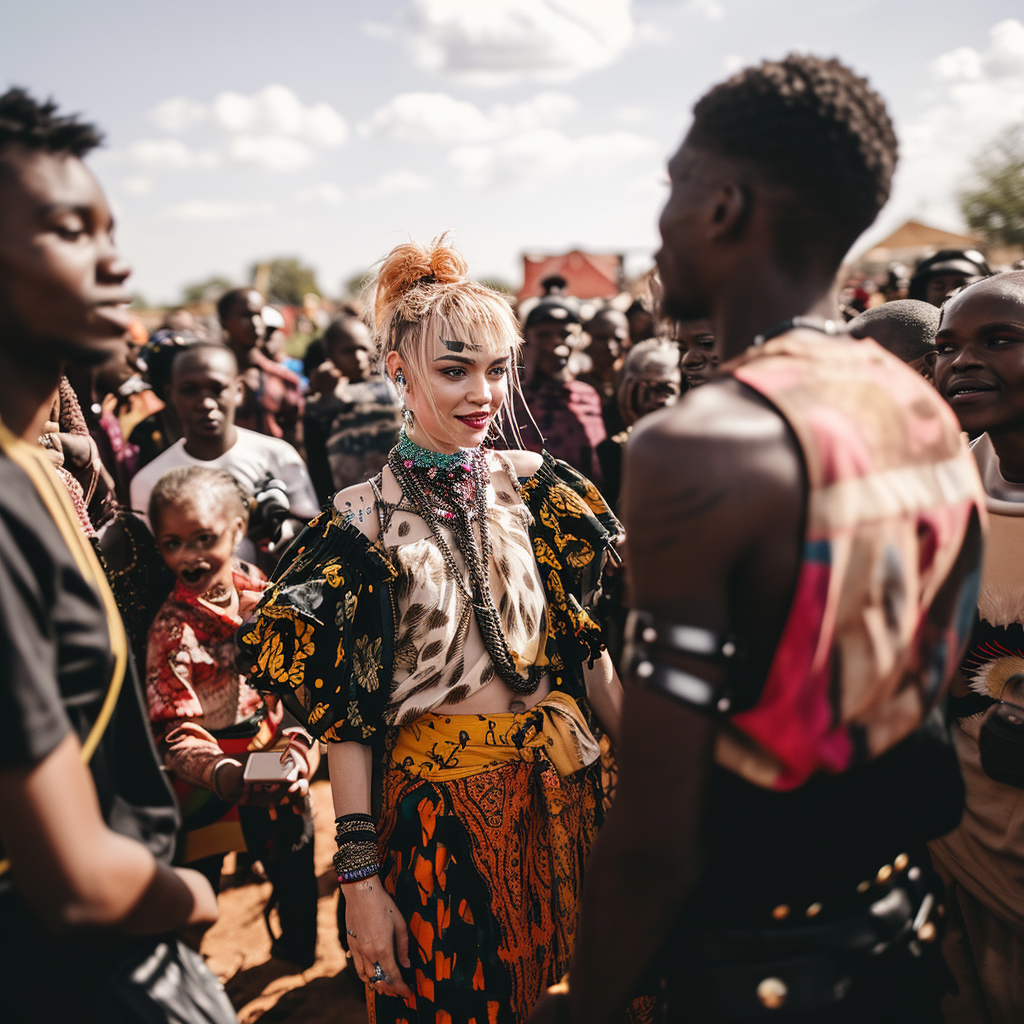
(711, 485)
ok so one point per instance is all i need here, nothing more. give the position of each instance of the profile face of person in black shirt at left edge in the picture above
(63, 292)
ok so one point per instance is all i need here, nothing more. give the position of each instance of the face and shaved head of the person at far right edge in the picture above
(979, 363)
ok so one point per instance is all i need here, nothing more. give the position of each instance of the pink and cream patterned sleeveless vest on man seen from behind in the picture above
(886, 593)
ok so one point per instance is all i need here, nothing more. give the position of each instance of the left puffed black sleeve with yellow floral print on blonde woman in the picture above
(323, 636)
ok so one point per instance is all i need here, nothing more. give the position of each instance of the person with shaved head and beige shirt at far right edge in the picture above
(979, 370)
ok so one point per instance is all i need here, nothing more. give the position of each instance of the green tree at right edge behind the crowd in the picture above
(995, 205)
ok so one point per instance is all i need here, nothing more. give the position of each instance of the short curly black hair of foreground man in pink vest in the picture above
(814, 126)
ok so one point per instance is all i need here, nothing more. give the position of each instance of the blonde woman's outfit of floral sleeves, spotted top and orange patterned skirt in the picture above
(487, 821)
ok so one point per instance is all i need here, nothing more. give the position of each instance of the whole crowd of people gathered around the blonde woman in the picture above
(421, 561)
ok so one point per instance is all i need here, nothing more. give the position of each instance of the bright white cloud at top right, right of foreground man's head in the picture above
(973, 97)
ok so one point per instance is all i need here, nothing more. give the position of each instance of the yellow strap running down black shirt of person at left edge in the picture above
(55, 496)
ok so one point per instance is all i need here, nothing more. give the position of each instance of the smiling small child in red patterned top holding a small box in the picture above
(207, 719)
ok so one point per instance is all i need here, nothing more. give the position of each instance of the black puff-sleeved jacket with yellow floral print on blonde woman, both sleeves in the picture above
(323, 636)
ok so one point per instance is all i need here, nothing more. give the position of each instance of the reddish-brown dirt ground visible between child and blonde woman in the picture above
(264, 989)
